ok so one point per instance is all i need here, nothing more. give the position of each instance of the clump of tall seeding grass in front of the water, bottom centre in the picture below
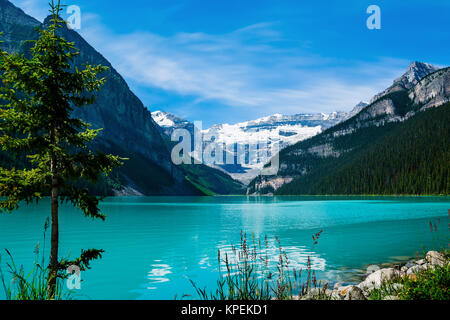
(247, 273)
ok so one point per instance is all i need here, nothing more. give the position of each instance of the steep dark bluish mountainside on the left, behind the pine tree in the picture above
(128, 126)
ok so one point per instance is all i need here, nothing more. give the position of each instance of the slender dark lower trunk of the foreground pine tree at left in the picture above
(53, 272)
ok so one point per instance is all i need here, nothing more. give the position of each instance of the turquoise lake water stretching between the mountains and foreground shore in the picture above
(155, 245)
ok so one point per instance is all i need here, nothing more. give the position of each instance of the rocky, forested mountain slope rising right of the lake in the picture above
(399, 144)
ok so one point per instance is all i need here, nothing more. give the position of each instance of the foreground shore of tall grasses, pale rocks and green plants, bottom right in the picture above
(247, 273)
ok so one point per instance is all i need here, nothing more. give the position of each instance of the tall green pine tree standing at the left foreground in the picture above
(39, 93)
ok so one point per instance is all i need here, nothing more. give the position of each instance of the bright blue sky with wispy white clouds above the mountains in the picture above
(231, 61)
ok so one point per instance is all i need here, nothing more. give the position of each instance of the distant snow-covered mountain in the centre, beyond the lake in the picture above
(283, 130)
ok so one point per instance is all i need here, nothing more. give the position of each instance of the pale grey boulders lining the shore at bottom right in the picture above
(376, 279)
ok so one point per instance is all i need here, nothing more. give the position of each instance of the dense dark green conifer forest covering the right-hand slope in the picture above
(399, 158)
